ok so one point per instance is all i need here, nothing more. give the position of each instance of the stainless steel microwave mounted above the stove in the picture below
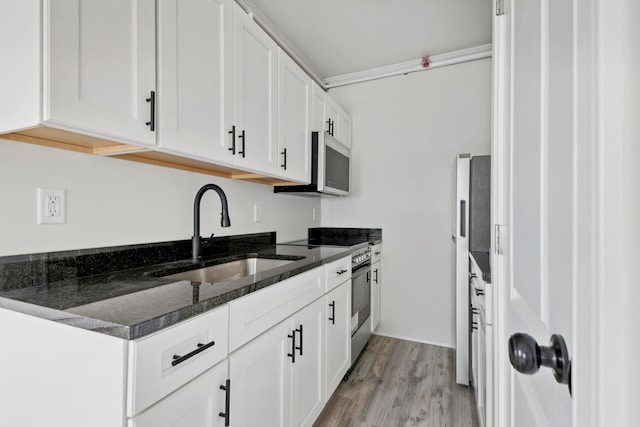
(330, 169)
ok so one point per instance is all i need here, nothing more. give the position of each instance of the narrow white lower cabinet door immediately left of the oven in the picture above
(338, 336)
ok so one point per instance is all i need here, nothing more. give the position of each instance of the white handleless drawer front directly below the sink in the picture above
(253, 314)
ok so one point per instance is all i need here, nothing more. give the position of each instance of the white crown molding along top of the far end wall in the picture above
(435, 61)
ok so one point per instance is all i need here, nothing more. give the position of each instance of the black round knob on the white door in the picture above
(526, 356)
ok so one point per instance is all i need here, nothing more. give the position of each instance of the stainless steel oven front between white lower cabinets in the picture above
(360, 301)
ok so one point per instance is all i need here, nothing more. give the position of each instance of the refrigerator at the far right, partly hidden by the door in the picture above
(472, 234)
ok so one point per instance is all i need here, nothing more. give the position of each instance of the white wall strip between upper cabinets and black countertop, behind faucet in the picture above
(115, 202)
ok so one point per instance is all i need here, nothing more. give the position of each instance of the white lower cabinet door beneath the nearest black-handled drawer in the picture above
(197, 404)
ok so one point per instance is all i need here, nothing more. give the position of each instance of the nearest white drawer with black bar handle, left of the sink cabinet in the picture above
(154, 368)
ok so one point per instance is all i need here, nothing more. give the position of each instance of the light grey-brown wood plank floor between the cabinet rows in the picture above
(401, 383)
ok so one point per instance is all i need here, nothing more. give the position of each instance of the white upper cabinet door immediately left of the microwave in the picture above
(294, 105)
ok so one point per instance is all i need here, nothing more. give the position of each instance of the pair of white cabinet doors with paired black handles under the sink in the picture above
(277, 379)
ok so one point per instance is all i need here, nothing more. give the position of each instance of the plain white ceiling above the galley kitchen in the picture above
(336, 37)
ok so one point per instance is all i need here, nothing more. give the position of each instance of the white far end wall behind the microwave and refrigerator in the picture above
(407, 131)
